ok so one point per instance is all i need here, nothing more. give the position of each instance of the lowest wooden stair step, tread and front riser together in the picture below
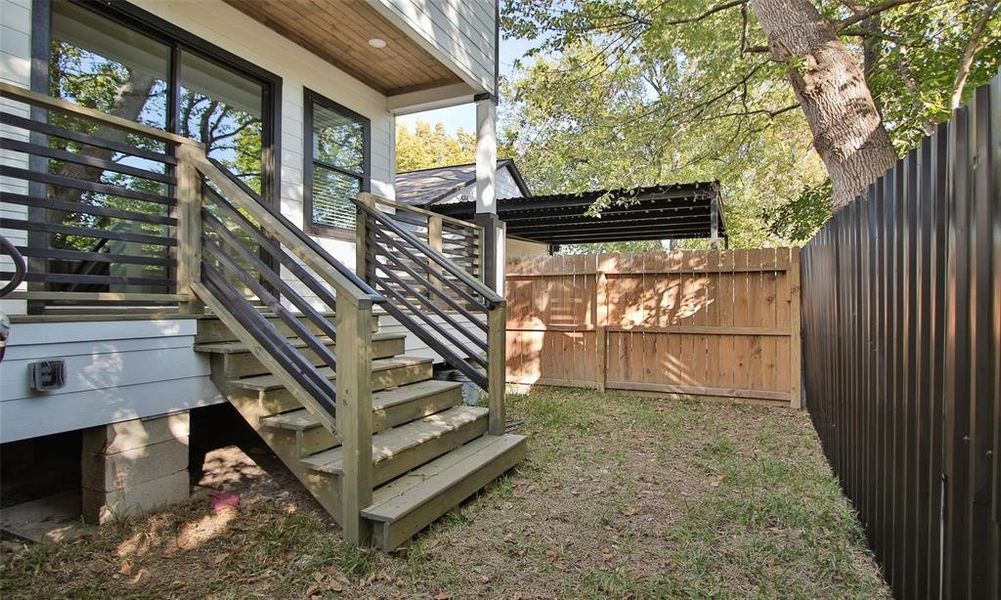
(412, 502)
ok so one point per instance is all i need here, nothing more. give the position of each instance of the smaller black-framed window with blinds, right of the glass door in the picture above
(338, 166)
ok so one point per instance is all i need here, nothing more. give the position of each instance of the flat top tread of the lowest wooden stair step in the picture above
(406, 493)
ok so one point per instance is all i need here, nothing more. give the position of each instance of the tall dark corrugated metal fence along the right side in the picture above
(901, 334)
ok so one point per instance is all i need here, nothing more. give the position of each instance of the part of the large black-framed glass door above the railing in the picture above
(122, 61)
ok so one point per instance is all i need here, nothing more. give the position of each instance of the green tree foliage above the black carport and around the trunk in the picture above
(623, 94)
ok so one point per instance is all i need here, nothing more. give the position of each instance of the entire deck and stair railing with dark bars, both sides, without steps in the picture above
(189, 235)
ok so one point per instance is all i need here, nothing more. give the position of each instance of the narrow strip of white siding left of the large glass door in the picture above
(16, 68)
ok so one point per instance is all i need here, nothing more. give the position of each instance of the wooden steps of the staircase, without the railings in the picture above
(430, 451)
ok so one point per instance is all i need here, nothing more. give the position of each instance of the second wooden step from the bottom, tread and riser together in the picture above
(397, 451)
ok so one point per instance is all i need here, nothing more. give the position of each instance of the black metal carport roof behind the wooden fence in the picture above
(676, 212)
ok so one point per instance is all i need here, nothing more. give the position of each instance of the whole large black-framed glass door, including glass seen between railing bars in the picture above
(122, 61)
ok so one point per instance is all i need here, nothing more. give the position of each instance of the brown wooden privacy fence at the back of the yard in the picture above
(705, 323)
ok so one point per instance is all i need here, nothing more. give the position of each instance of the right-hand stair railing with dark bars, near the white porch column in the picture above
(434, 292)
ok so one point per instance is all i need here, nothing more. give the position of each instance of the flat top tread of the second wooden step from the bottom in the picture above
(393, 442)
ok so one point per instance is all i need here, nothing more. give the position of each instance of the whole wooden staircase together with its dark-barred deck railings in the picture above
(292, 333)
